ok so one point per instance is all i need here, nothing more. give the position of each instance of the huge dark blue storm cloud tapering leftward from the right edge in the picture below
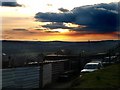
(97, 18)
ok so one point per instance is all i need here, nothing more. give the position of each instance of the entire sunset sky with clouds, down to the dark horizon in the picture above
(59, 20)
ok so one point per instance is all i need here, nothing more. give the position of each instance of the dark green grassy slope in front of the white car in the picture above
(105, 78)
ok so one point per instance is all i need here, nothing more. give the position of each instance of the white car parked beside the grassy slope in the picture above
(92, 66)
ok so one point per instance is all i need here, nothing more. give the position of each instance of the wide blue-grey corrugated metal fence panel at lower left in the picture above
(23, 77)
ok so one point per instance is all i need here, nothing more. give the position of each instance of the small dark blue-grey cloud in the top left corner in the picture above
(9, 3)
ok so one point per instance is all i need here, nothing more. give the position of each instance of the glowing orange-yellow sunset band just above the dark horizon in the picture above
(45, 36)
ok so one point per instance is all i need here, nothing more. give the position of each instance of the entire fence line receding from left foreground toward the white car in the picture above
(32, 77)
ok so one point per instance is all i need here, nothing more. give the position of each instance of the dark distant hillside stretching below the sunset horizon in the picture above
(31, 49)
